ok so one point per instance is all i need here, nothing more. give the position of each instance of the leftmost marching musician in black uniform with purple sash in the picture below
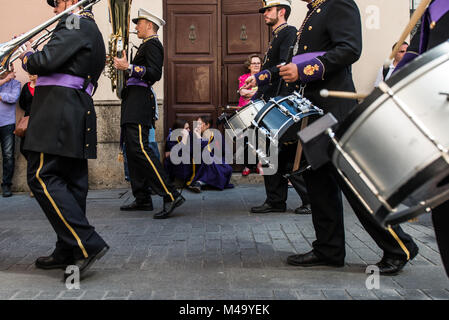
(61, 135)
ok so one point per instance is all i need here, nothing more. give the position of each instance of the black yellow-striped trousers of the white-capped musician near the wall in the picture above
(145, 169)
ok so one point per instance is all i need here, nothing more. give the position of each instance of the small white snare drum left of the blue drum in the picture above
(242, 119)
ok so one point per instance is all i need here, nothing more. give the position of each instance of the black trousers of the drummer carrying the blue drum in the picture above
(325, 186)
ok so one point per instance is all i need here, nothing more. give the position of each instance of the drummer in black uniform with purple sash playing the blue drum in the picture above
(329, 42)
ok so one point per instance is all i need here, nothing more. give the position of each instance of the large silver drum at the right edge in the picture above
(393, 148)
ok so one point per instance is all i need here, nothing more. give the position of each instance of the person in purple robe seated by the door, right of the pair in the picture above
(215, 175)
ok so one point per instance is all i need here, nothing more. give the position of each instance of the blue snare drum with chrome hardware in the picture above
(279, 121)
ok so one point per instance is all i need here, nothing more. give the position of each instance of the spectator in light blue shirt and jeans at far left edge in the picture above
(9, 94)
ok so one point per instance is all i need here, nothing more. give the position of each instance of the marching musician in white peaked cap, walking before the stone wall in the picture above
(138, 110)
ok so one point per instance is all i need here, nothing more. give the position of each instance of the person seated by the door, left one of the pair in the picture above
(182, 171)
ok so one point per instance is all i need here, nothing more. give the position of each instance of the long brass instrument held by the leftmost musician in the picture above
(10, 51)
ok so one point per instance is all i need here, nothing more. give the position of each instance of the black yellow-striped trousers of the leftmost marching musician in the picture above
(60, 186)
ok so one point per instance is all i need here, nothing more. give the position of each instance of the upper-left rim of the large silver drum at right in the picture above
(402, 74)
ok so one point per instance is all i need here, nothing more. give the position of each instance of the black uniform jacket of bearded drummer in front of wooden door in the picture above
(283, 38)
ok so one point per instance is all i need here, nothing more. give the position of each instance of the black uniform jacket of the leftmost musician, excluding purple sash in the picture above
(62, 120)
